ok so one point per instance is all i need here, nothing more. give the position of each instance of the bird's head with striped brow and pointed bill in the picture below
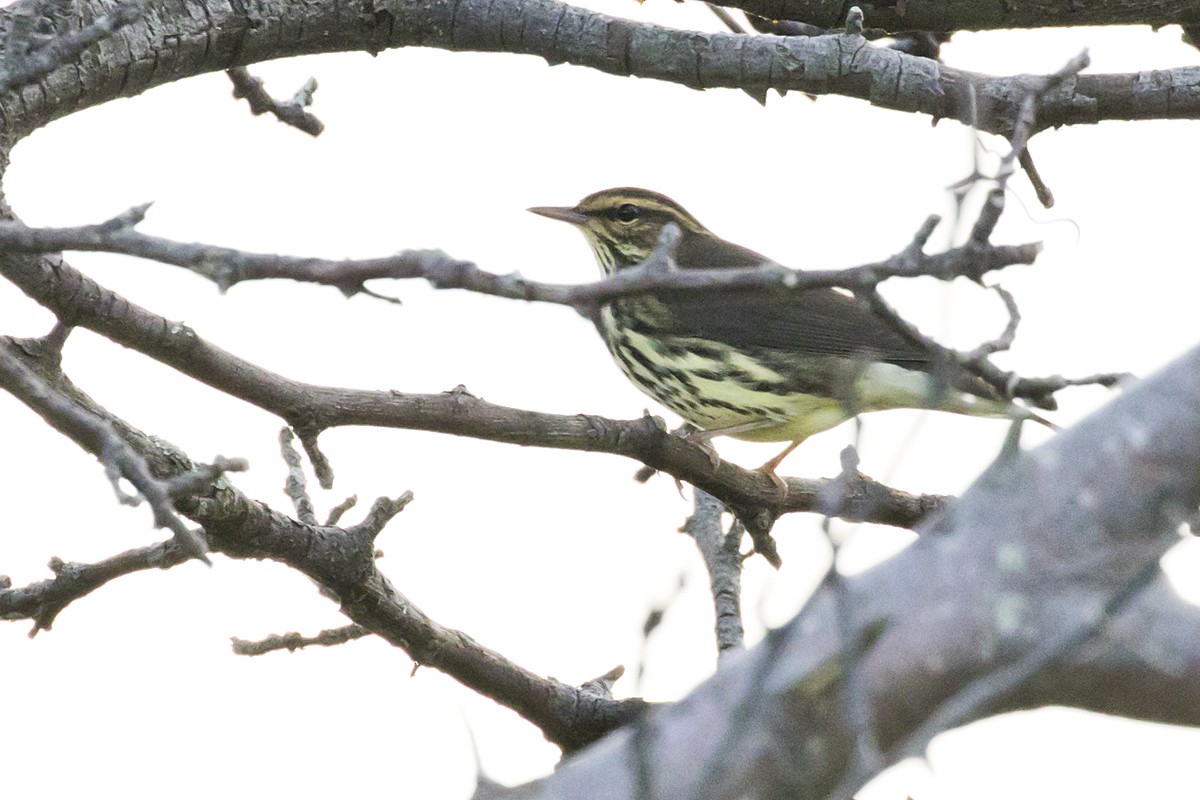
(623, 225)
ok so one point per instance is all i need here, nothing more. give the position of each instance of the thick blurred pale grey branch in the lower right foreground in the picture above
(1017, 581)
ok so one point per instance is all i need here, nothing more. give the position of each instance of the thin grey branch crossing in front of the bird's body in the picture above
(227, 267)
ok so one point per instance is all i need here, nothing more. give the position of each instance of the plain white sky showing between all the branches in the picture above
(551, 558)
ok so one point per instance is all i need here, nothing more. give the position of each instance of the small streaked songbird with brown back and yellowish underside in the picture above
(749, 364)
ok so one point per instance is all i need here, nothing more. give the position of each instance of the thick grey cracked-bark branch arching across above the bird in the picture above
(182, 43)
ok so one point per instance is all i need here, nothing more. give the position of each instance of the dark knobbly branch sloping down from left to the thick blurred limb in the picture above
(343, 562)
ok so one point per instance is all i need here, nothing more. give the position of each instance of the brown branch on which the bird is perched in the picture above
(310, 410)
